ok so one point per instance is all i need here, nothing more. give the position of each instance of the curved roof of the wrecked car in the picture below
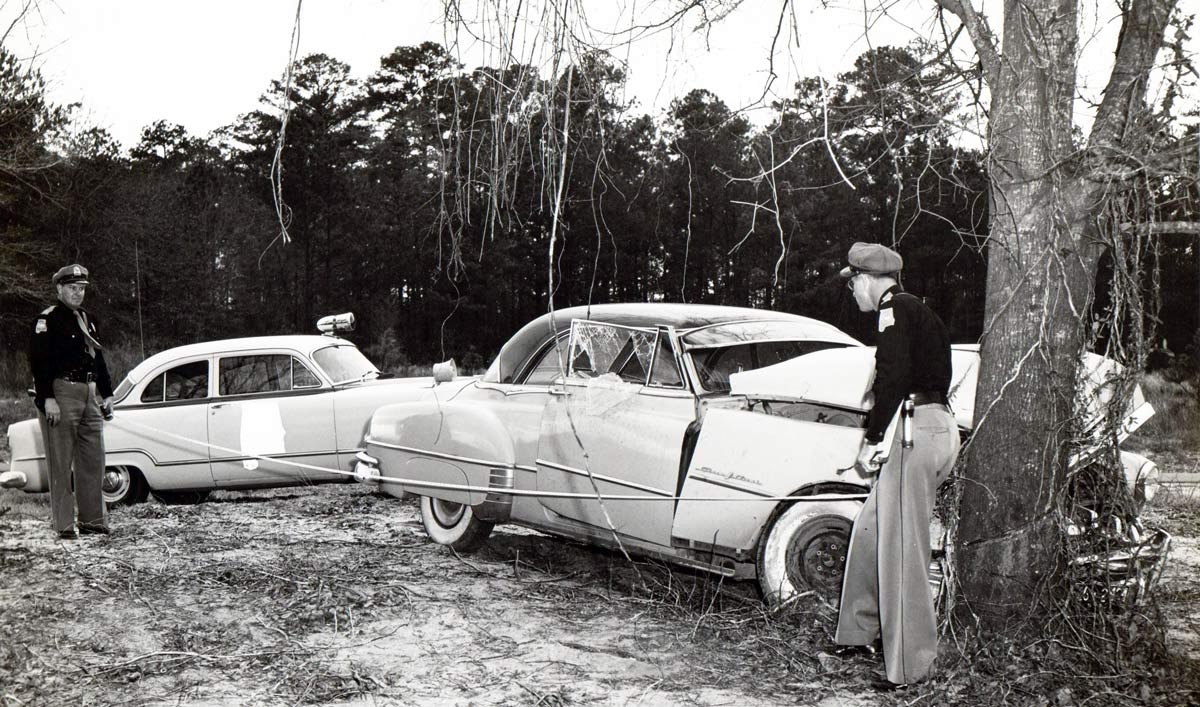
(683, 317)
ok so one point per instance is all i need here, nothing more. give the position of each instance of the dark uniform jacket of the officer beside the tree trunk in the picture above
(913, 357)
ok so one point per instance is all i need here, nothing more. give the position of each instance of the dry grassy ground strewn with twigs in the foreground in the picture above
(262, 591)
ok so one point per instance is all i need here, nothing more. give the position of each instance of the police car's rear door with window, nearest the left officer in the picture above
(166, 422)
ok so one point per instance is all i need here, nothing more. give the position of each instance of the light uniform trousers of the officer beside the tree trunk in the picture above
(886, 591)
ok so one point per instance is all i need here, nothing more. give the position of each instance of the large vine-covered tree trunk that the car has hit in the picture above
(1042, 267)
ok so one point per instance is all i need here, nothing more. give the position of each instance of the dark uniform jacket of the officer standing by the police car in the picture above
(58, 350)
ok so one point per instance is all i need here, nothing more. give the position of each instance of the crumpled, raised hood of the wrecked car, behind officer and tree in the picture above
(843, 378)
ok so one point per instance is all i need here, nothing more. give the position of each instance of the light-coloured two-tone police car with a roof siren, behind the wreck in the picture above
(239, 414)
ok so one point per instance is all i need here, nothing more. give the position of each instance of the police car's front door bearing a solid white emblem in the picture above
(271, 406)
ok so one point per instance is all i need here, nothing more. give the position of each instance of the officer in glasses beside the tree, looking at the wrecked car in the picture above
(886, 591)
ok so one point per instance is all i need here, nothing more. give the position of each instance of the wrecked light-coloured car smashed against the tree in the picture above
(719, 439)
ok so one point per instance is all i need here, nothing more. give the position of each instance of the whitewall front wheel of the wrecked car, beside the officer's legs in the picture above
(805, 550)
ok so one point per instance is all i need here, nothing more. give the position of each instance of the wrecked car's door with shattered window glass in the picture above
(617, 429)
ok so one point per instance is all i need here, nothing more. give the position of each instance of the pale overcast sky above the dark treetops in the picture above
(203, 63)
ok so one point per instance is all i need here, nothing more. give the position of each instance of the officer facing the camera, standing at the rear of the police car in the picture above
(69, 378)
